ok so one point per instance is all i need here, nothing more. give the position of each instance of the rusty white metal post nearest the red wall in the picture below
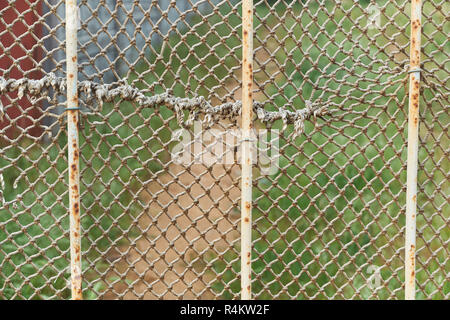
(72, 132)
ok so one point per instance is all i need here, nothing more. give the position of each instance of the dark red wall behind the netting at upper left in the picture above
(20, 39)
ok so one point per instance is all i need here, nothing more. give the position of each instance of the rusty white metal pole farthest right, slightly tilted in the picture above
(413, 149)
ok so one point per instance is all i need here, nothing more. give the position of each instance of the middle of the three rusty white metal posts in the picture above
(247, 115)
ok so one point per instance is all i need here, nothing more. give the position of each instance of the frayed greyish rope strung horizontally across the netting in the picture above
(195, 106)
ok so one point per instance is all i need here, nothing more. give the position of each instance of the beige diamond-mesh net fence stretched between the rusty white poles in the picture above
(328, 223)
